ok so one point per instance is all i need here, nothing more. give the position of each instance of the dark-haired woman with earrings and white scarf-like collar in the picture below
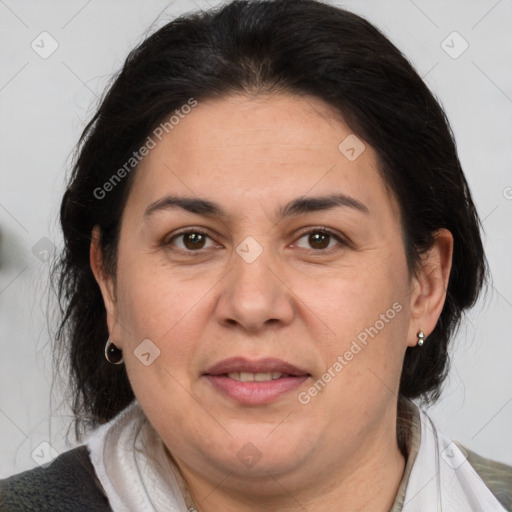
(269, 244)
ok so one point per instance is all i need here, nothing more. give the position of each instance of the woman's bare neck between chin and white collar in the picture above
(368, 482)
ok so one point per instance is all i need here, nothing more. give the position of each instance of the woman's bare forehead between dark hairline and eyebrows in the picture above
(256, 150)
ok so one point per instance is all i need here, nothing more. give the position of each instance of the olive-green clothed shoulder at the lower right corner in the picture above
(496, 476)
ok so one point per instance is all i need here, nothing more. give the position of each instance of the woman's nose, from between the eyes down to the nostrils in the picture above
(255, 295)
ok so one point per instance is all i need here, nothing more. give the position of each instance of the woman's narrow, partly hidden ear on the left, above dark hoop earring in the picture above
(105, 282)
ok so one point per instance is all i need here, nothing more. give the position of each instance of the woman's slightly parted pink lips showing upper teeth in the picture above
(255, 382)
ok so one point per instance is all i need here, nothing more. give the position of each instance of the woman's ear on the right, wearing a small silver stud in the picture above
(428, 291)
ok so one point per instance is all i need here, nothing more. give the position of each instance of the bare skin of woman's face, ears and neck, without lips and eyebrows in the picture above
(299, 301)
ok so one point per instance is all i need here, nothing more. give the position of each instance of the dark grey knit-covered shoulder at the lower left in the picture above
(68, 483)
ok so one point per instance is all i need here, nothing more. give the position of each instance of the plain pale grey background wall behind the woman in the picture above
(46, 102)
